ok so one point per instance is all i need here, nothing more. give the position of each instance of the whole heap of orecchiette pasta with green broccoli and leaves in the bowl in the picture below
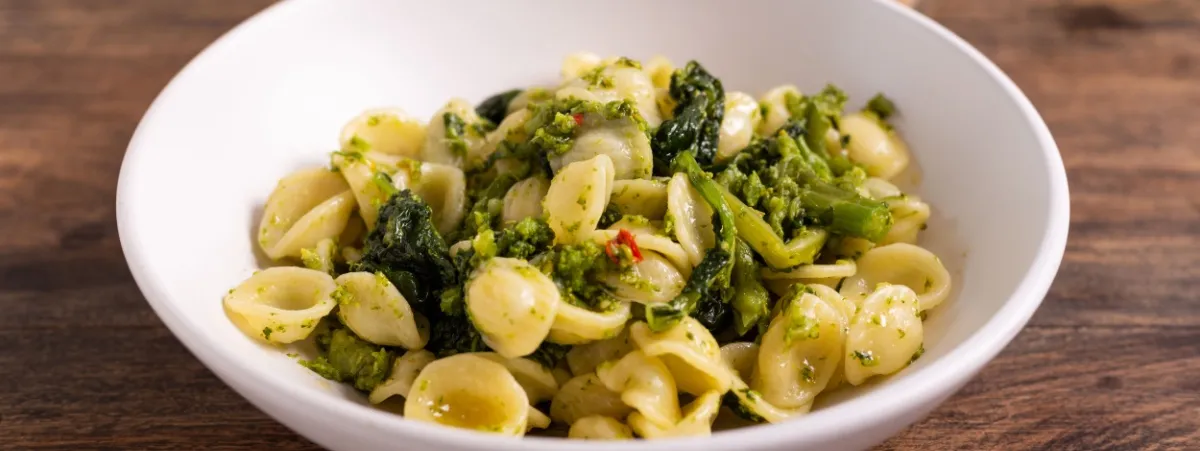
(633, 251)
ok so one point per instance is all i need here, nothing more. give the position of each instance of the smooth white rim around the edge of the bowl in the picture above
(890, 401)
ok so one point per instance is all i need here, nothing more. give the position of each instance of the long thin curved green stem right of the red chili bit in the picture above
(717, 264)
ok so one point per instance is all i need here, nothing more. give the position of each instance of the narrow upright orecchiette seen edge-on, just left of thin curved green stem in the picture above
(693, 219)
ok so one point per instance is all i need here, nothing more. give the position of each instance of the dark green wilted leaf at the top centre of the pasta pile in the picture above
(700, 109)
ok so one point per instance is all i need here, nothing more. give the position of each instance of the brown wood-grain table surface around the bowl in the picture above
(1112, 360)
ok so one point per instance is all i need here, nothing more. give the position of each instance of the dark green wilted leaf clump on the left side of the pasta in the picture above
(407, 249)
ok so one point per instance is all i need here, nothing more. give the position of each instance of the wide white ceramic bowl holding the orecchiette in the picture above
(272, 95)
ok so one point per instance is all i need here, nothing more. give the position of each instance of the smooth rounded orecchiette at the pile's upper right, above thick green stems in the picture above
(879, 151)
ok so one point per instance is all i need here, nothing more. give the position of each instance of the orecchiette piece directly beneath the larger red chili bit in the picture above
(651, 281)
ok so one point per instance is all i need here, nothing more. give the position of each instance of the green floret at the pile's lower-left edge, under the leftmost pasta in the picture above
(346, 358)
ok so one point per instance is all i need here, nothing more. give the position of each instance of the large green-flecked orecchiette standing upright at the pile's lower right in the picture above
(801, 351)
